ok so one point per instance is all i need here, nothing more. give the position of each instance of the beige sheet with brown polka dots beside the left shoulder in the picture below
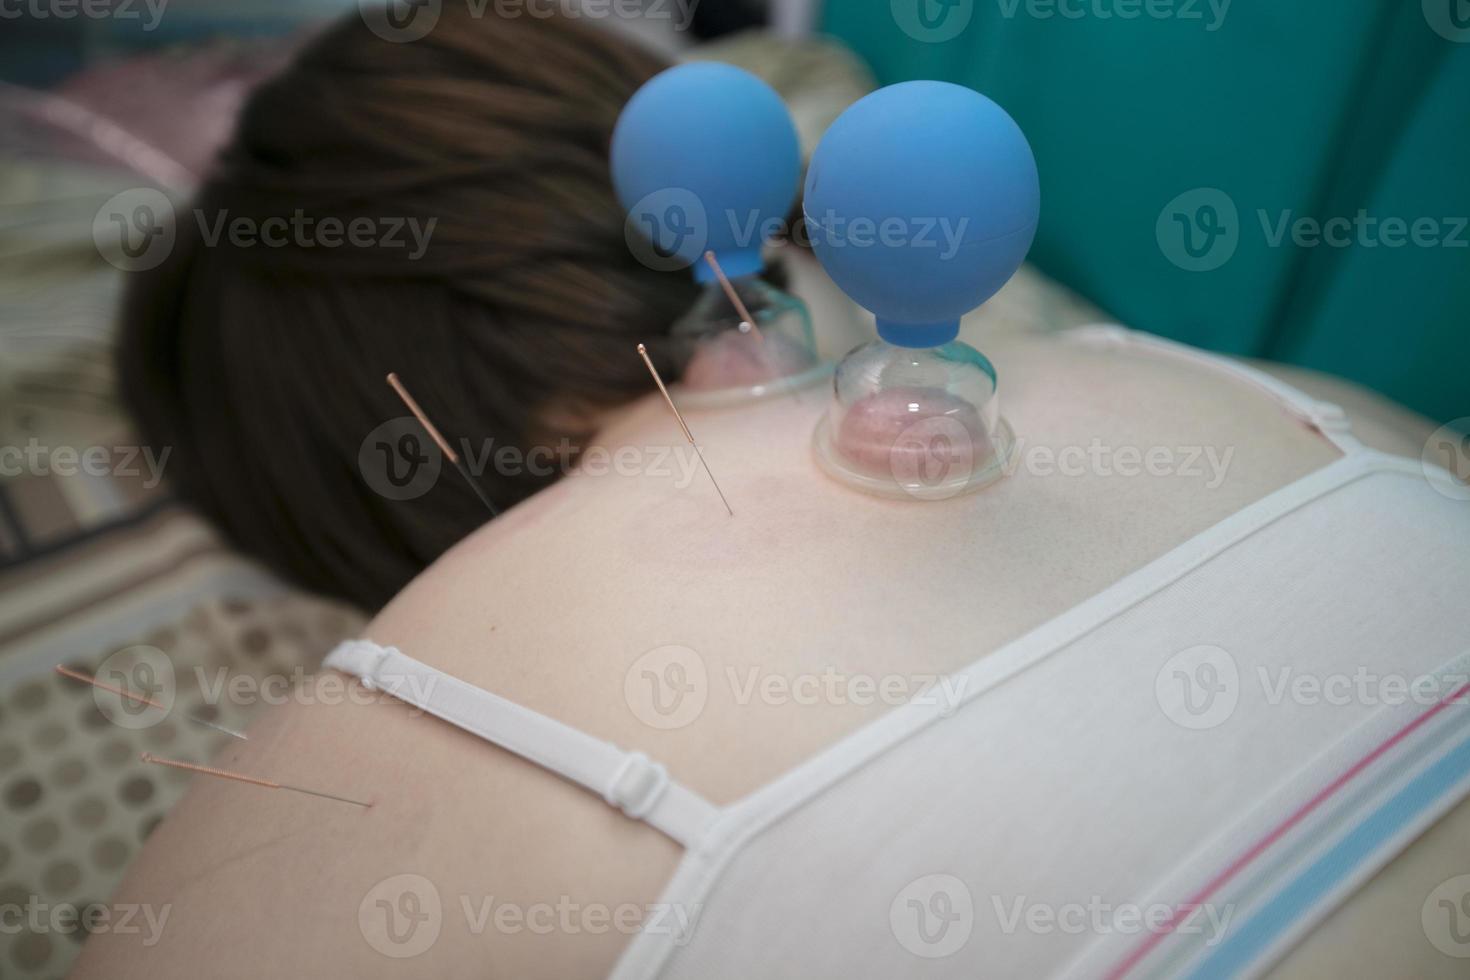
(76, 799)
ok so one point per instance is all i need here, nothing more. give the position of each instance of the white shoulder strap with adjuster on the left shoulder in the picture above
(628, 781)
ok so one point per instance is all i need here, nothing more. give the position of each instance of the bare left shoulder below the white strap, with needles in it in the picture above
(453, 869)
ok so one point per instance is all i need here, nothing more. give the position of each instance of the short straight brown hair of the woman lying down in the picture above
(264, 365)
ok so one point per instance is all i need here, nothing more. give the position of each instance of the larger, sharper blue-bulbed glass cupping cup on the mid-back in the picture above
(922, 201)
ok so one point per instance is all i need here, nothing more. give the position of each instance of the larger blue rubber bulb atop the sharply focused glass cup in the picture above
(922, 201)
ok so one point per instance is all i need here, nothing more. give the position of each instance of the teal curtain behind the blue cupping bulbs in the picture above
(1183, 148)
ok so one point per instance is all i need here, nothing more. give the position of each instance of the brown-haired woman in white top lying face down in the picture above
(1084, 724)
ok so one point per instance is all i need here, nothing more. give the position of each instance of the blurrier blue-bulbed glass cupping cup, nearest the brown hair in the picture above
(706, 159)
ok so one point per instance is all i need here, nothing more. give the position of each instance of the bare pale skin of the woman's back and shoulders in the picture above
(553, 603)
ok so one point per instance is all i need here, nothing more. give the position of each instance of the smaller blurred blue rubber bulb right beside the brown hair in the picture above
(706, 158)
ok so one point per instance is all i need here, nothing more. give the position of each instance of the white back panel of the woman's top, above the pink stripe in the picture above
(1064, 731)
